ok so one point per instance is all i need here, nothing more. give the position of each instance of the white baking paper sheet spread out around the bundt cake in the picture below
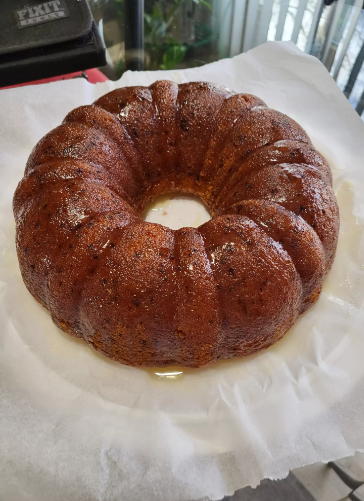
(77, 426)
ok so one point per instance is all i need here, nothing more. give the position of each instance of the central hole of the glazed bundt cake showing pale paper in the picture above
(177, 211)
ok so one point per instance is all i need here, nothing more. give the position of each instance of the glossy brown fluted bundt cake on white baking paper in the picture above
(141, 293)
